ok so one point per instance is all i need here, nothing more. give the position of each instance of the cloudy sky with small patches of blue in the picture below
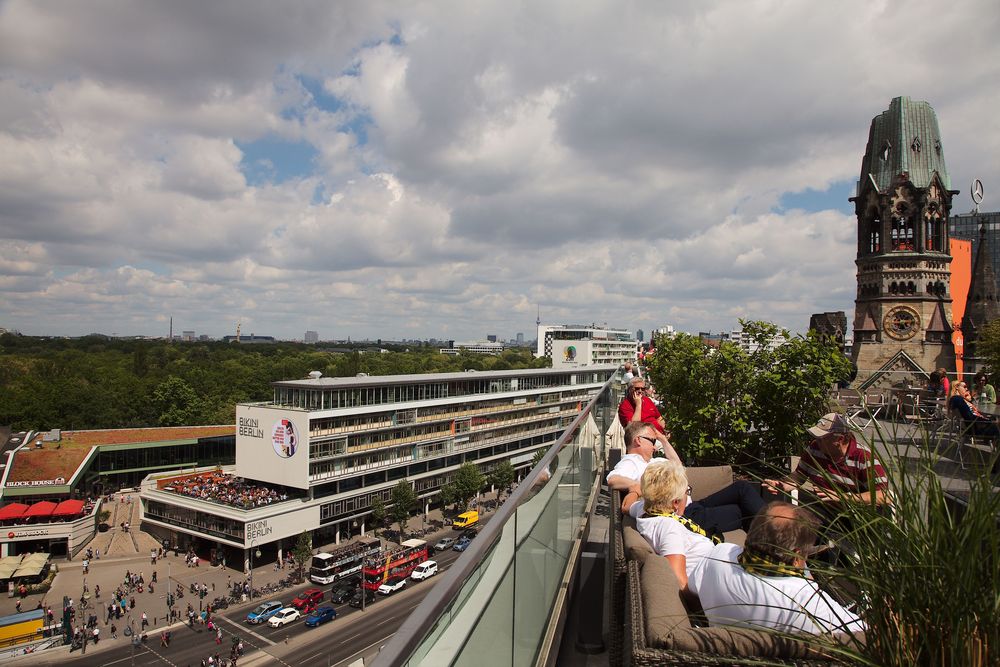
(442, 169)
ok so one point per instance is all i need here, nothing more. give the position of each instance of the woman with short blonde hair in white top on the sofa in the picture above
(680, 540)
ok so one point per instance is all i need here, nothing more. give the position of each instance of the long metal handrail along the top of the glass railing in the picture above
(425, 615)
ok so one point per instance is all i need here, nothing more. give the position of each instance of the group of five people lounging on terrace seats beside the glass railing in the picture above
(766, 582)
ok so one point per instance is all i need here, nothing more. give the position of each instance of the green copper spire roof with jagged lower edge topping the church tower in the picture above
(904, 139)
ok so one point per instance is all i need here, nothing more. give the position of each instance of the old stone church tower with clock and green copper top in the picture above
(902, 315)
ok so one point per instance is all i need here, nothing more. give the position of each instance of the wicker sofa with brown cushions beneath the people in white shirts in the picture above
(653, 625)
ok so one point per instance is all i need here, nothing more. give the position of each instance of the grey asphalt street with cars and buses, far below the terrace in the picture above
(337, 642)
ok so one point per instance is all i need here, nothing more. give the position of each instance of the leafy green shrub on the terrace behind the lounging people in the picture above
(729, 405)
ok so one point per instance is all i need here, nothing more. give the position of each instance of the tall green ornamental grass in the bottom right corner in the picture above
(926, 573)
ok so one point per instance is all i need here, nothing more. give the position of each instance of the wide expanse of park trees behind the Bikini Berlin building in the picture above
(100, 382)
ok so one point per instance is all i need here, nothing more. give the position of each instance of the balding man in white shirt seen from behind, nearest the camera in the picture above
(766, 584)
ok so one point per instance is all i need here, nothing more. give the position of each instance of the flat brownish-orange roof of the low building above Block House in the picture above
(55, 459)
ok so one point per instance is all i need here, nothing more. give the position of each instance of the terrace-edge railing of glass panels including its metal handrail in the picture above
(500, 603)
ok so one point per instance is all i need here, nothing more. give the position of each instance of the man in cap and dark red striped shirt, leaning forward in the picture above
(837, 466)
